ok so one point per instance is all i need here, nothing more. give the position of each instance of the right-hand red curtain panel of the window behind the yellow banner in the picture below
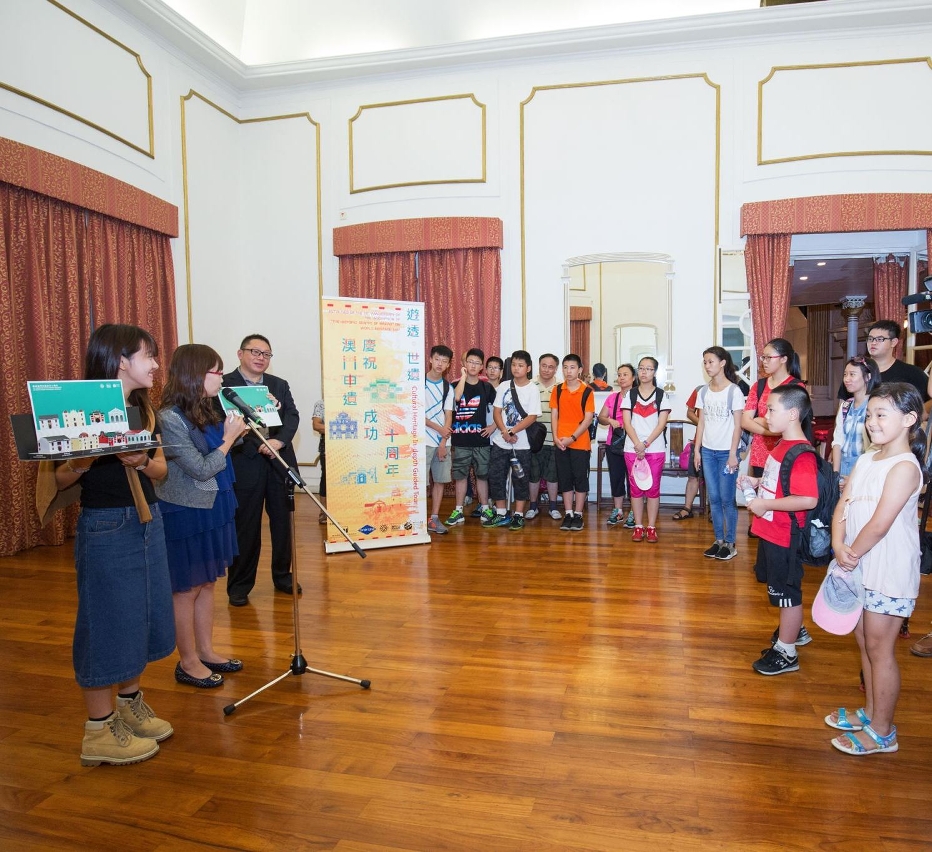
(461, 291)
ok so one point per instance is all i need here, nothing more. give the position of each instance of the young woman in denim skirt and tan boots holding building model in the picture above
(124, 616)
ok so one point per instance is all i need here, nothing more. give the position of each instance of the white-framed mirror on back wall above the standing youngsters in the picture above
(619, 310)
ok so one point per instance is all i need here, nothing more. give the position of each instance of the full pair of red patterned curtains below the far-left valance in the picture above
(62, 268)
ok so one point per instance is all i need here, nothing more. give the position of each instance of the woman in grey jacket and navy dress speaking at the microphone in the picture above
(198, 506)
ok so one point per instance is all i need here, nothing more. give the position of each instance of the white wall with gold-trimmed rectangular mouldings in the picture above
(632, 166)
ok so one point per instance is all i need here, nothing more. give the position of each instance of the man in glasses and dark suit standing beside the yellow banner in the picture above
(260, 481)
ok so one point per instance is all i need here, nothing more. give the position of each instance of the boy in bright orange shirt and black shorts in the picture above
(573, 408)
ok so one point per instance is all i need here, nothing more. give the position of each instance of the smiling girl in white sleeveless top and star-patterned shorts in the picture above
(874, 526)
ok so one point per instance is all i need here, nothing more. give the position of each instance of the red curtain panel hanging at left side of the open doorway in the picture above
(767, 261)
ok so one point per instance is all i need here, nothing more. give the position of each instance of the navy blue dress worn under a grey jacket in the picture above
(202, 542)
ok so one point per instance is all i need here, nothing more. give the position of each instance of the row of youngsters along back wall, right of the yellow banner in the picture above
(481, 425)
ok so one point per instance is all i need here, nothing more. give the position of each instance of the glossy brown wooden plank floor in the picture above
(530, 691)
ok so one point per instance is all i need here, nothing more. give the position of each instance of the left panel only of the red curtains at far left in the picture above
(44, 326)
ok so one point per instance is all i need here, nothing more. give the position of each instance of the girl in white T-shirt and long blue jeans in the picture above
(718, 434)
